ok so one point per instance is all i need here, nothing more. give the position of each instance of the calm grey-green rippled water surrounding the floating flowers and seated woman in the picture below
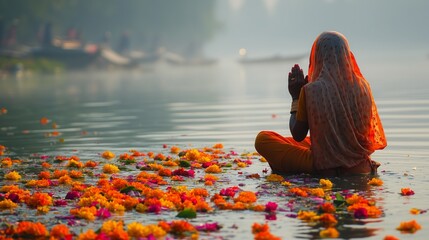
(228, 103)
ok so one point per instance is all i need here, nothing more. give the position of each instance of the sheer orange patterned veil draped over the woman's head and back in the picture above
(345, 128)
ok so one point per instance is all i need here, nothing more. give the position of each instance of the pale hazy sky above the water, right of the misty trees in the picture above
(267, 27)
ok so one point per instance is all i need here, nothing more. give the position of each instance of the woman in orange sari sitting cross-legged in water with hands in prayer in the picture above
(335, 103)
